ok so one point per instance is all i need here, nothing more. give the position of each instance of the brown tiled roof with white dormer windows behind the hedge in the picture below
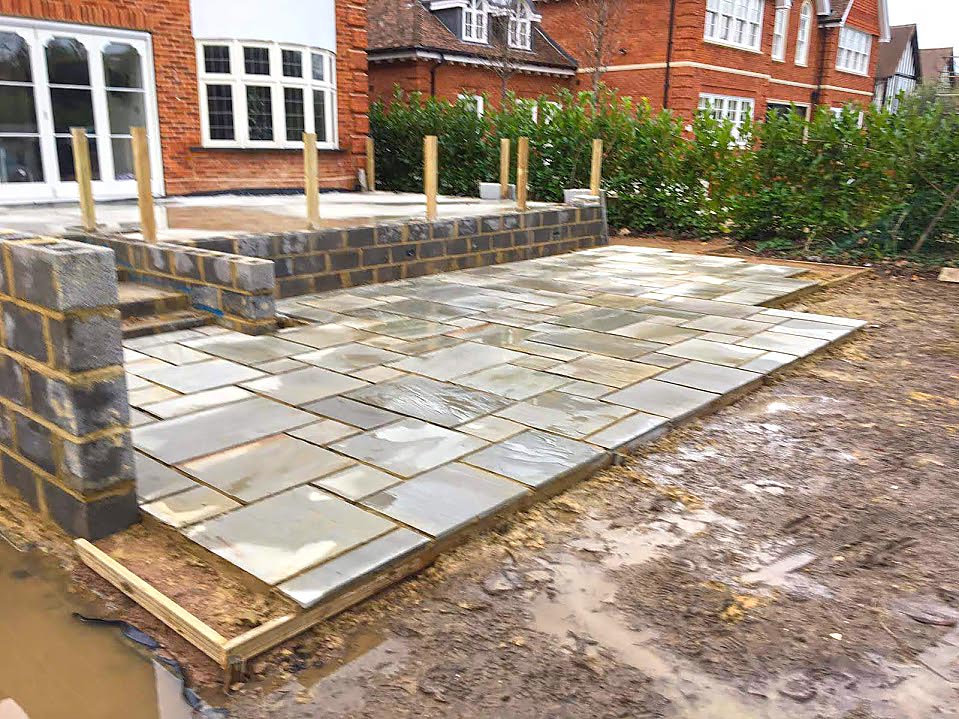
(398, 25)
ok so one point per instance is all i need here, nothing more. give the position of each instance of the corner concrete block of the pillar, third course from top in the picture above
(80, 409)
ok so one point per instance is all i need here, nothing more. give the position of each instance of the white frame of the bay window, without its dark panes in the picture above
(238, 80)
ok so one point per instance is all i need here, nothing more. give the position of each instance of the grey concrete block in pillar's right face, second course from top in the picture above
(83, 343)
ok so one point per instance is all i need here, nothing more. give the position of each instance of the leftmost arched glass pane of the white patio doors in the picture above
(20, 160)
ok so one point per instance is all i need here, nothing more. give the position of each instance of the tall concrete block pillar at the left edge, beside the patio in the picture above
(64, 417)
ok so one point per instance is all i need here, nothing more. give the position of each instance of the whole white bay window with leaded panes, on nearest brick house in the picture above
(255, 94)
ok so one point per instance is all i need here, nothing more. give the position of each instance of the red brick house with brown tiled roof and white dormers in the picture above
(453, 48)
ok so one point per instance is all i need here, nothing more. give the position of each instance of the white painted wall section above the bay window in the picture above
(298, 22)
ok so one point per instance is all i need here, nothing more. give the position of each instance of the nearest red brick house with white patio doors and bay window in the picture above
(224, 87)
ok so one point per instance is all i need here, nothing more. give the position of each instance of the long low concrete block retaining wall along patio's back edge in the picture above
(321, 260)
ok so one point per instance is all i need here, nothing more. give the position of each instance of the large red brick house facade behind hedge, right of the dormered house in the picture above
(733, 56)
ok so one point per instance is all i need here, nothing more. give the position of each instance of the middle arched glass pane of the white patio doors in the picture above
(71, 101)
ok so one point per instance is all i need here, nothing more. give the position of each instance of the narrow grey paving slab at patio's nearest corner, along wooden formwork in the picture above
(337, 575)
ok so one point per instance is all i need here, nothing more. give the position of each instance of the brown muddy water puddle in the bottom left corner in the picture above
(53, 666)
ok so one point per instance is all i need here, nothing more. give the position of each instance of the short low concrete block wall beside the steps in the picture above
(237, 290)
